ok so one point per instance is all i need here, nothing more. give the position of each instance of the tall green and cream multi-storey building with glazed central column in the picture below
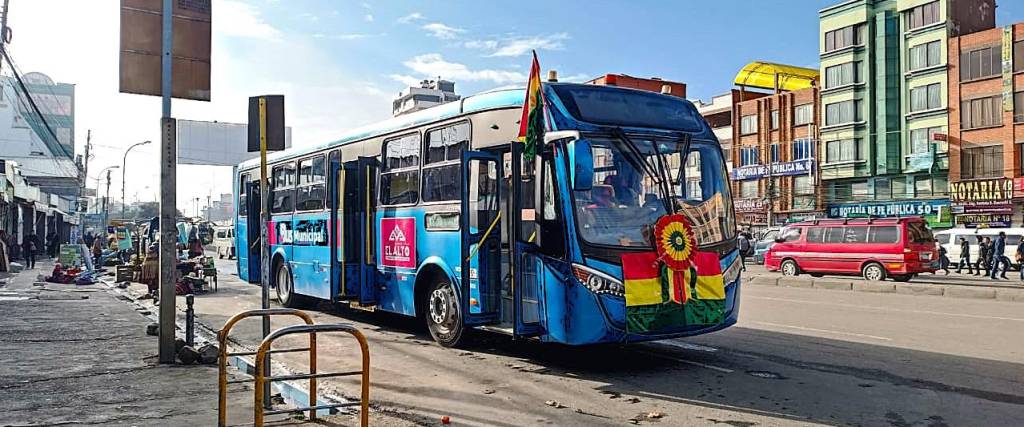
(884, 97)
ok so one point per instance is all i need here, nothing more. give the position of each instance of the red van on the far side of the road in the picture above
(877, 248)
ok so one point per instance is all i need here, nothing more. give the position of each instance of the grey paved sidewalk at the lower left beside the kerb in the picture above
(73, 356)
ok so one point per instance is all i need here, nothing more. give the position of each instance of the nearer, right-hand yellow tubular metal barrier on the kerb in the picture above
(265, 350)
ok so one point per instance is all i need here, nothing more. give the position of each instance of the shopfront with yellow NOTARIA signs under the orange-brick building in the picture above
(984, 203)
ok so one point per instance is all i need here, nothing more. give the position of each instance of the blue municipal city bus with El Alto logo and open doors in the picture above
(438, 215)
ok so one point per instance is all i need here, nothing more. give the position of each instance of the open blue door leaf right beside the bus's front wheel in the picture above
(482, 241)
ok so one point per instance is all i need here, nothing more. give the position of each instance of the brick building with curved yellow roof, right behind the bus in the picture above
(775, 174)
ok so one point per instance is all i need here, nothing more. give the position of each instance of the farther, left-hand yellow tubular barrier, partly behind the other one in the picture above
(223, 360)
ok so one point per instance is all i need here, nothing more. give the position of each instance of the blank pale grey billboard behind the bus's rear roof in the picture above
(217, 144)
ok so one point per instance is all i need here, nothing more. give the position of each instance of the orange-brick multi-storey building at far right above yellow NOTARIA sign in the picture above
(987, 115)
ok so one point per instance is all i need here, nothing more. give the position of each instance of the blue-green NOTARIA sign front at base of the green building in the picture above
(936, 212)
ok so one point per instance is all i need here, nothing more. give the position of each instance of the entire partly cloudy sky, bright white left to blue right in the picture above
(342, 63)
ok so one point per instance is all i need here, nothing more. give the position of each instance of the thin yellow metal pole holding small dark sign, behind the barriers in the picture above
(265, 254)
